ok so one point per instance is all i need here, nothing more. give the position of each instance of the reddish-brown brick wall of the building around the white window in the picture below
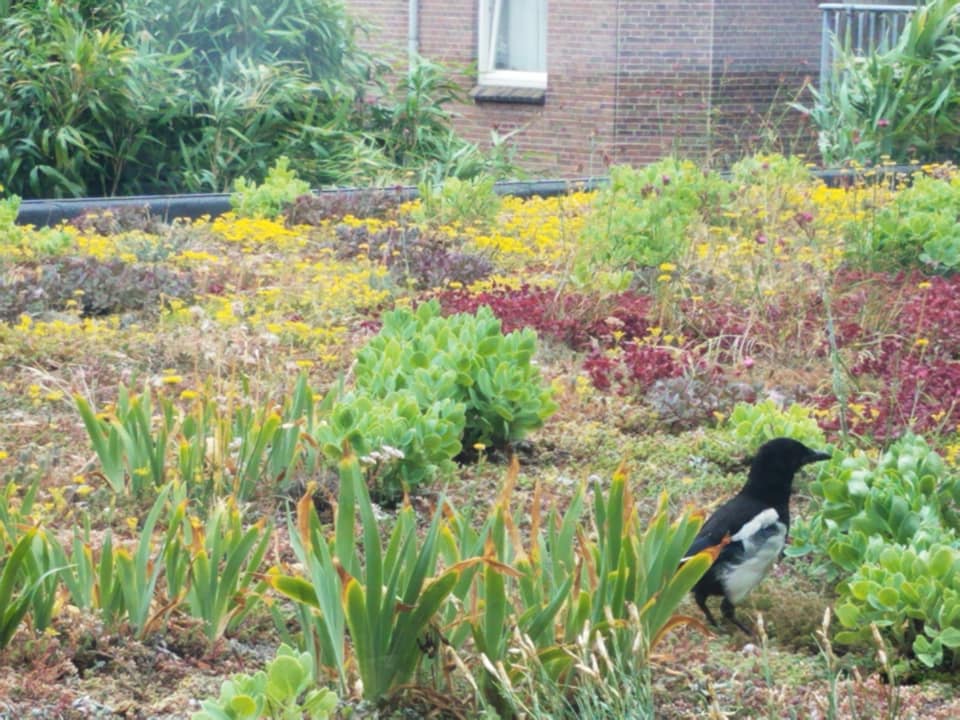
(628, 81)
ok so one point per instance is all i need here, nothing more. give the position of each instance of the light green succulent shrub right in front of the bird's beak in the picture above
(890, 529)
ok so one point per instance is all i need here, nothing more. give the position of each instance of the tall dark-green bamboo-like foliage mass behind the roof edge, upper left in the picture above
(153, 96)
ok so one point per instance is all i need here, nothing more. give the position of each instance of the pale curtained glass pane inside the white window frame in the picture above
(520, 35)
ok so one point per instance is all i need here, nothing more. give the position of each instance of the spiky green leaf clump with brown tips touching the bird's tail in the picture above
(564, 587)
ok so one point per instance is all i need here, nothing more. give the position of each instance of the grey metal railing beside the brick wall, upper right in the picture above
(861, 28)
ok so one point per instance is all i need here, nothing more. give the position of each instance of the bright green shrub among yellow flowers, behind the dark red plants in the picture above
(643, 217)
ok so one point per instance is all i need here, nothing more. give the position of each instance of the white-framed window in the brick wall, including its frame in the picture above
(513, 43)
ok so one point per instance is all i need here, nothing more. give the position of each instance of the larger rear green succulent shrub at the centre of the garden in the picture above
(464, 358)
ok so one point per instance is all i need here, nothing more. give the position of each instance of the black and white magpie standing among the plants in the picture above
(756, 521)
